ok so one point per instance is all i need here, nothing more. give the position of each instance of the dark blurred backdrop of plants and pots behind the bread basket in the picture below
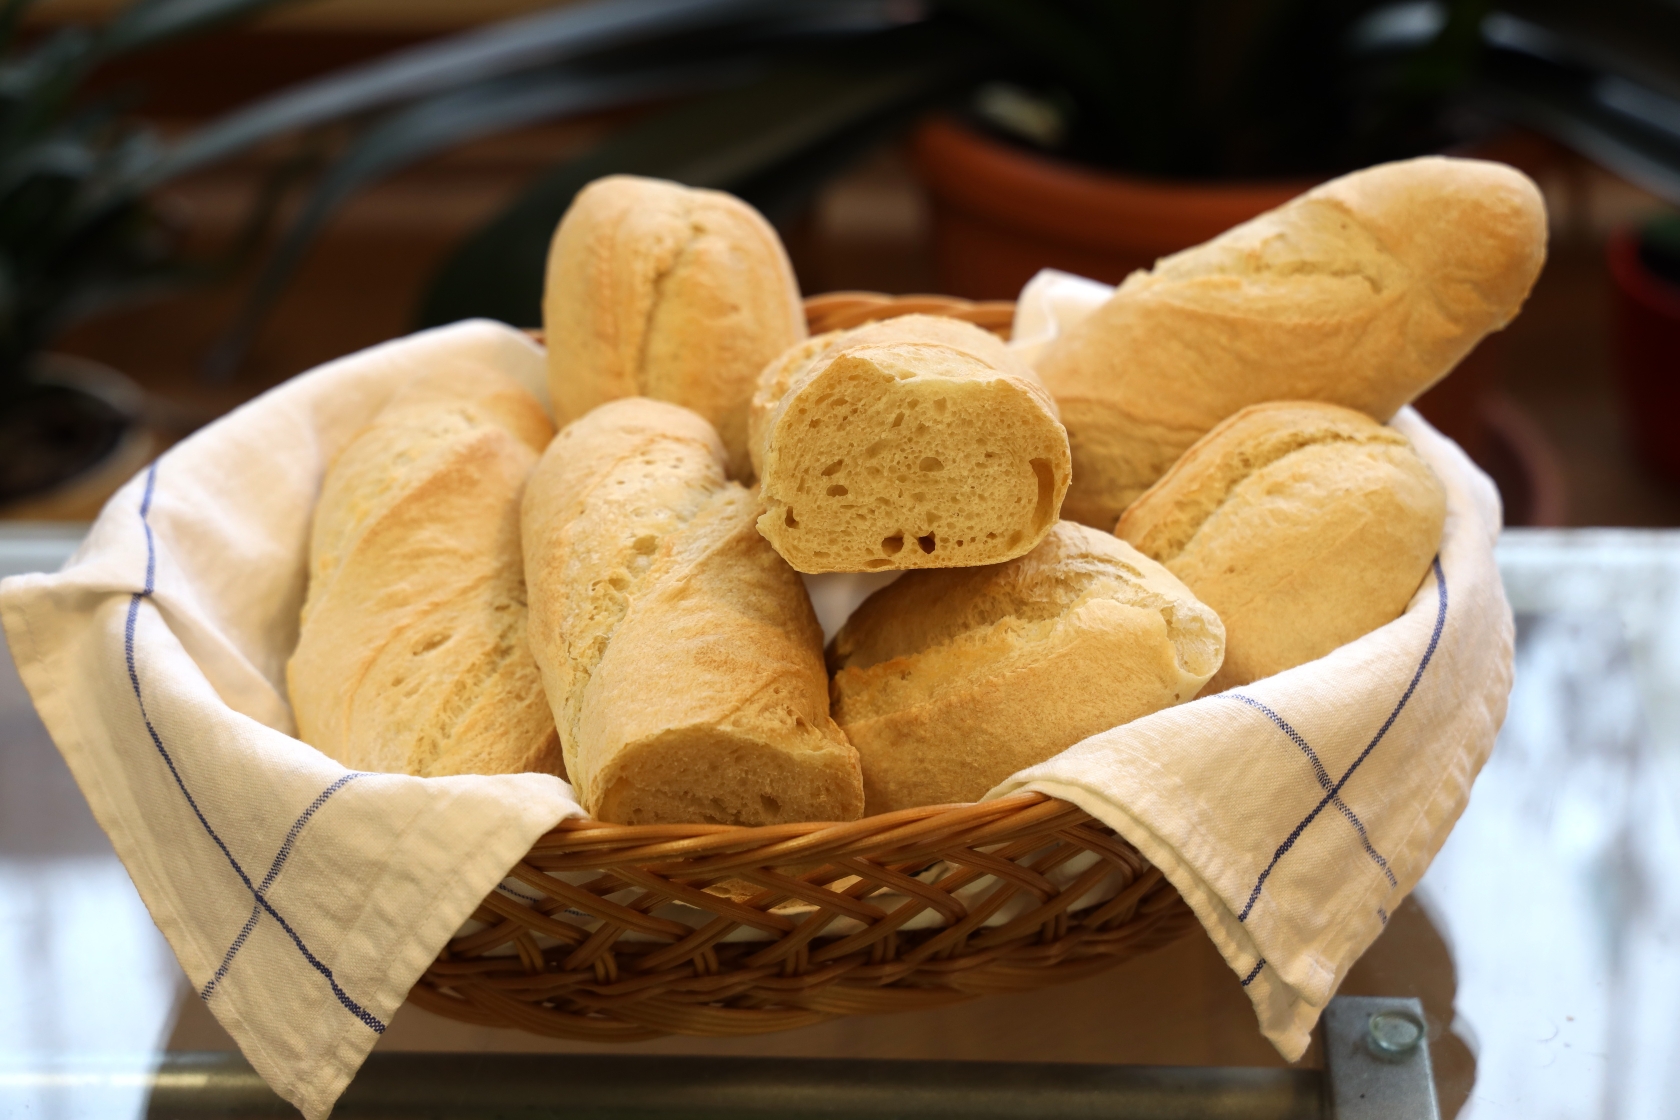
(201, 199)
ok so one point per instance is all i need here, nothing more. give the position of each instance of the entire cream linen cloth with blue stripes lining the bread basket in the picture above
(305, 901)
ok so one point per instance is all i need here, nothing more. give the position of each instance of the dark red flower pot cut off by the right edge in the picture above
(1647, 353)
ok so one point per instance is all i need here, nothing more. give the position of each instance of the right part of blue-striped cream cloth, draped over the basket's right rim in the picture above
(1298, 812)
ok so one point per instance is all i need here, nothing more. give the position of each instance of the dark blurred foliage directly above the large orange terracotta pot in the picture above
(1236, 88)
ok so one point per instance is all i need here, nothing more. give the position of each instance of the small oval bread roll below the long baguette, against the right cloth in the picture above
(1303, 525)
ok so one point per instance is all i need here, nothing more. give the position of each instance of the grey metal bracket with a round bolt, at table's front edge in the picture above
(1377, 1060)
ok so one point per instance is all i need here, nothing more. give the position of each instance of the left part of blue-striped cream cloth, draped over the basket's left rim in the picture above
(302, 899)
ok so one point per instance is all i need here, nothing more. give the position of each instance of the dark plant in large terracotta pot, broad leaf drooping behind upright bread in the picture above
(1187, 90)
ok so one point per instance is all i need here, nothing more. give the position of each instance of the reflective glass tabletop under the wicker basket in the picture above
(1541, 945)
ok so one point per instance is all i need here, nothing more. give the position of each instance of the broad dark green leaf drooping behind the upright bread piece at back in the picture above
(772, 142)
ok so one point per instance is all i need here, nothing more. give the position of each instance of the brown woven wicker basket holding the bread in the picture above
(616, 933)
